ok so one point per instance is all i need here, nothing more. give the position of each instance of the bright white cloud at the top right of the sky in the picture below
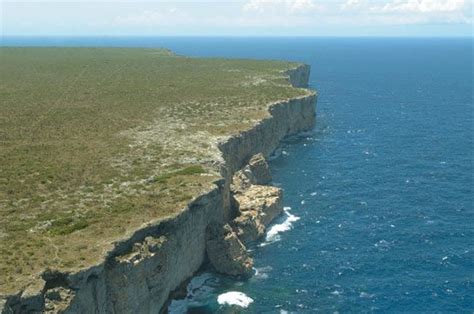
(422, 6)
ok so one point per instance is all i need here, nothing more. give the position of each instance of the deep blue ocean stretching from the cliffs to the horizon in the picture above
(381, 192)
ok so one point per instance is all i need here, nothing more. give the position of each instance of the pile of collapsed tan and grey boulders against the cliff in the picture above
(257, 205)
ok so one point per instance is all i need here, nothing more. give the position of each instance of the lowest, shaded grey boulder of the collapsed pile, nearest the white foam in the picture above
(225, 251)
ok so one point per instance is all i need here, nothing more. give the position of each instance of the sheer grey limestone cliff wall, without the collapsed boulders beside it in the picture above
(139, 274)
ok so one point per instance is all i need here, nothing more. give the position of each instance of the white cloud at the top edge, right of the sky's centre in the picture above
(280, 6)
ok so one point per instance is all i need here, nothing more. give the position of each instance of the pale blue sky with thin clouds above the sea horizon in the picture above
(400, 18)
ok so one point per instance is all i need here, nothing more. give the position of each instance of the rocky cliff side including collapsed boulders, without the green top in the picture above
(139, 274)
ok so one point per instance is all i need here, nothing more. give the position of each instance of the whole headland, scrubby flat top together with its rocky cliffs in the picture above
(123, 170)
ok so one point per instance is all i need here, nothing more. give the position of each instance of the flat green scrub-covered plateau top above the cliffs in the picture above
(94, 142)
